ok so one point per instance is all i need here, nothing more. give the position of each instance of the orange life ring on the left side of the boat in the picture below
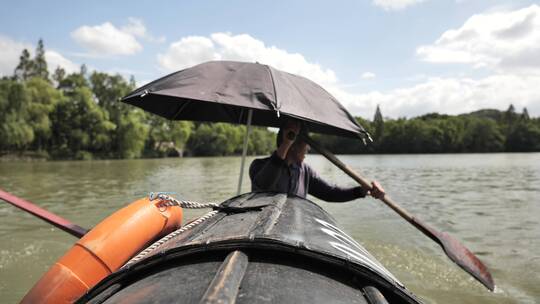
(104, 250)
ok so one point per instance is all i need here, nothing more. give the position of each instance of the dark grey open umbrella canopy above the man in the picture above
(223, 91)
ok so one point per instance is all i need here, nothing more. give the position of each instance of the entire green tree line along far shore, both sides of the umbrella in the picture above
(79, 116)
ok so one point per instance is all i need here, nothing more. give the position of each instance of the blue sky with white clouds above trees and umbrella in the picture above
(410, 57)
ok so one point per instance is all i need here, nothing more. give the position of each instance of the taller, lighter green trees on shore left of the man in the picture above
(79, 116)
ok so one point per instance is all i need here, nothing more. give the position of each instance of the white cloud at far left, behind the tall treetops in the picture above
(11, 51)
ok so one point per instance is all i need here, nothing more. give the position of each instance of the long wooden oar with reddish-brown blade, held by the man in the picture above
(452, 247)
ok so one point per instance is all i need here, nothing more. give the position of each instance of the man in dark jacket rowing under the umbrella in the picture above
(285, 172)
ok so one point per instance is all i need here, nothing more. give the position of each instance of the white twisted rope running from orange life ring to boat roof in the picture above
(170, 201)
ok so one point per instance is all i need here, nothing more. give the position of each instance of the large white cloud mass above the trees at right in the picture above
(505, 43)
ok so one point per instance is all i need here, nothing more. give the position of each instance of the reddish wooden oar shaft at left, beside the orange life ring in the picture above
(43, 214)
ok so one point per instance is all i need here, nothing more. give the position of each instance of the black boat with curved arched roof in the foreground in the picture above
(257, 248)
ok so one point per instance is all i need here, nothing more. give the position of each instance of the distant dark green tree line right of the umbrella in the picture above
(481, 131)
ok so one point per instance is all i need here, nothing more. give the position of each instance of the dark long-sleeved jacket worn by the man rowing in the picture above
(273, 174)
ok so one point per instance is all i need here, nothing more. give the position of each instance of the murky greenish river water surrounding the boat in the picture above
(491, 202)
